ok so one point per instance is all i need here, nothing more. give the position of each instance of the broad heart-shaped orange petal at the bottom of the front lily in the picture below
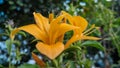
(51, 51)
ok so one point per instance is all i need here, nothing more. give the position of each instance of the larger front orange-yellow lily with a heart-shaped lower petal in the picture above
(50, 31)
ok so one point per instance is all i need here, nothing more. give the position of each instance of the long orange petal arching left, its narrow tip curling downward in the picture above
(32, 29)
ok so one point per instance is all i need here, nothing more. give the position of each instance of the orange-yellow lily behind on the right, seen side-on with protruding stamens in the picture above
(79, 34)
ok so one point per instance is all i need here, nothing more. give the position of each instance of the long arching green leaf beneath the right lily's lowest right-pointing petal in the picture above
(93, 44)
